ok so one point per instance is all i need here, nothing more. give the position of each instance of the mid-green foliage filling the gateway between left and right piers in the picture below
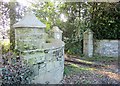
(73, 28)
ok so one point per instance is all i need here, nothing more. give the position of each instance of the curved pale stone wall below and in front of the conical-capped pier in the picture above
(48, 65)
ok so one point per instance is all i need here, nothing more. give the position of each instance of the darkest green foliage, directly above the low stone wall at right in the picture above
(105, 20)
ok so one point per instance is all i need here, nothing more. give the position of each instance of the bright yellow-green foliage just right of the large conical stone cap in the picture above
(47, 13)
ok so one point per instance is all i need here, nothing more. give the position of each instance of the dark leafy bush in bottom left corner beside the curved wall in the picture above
(16, 73)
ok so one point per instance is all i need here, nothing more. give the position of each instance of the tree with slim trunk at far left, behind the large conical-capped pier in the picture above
(11, 12)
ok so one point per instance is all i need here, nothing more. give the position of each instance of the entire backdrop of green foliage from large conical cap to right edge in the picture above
(102, 18)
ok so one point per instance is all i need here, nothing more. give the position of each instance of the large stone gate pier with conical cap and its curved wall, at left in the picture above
(44, 53)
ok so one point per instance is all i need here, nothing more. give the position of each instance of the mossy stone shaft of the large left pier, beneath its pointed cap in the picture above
(29, 38)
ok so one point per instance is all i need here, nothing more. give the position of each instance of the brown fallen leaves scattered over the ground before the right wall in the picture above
(86, 74)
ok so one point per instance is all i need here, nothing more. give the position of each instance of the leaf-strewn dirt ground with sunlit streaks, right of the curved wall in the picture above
(98, 73)
